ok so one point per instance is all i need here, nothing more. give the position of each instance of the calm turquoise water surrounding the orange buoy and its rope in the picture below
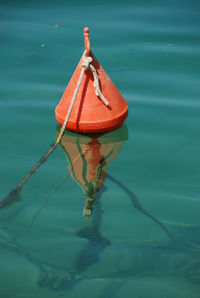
(143, 237)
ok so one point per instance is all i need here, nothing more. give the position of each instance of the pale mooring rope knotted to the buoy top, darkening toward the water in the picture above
(85, 66)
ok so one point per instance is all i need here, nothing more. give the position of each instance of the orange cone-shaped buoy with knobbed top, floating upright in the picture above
(98, 105)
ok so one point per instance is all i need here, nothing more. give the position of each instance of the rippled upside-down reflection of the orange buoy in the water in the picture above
(88, 159)
